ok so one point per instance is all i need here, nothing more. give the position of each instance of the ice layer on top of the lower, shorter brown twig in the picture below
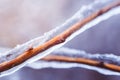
(109, 58)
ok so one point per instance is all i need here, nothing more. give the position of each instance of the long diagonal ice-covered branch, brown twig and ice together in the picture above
(42, 46)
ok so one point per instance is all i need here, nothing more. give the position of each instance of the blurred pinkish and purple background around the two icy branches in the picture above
(22, 20)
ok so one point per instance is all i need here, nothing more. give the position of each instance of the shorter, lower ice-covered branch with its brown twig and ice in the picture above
(68, 58)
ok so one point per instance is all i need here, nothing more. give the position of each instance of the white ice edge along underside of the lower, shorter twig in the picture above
(64, 65)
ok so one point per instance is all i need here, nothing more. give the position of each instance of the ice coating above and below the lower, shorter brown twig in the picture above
(110, 58)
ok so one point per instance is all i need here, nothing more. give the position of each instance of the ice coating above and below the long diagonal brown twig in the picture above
(81, 14)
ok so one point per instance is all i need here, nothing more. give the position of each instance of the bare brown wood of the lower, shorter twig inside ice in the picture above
(90, 62)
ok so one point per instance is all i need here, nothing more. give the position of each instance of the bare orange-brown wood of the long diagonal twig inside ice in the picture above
(54, 41)
